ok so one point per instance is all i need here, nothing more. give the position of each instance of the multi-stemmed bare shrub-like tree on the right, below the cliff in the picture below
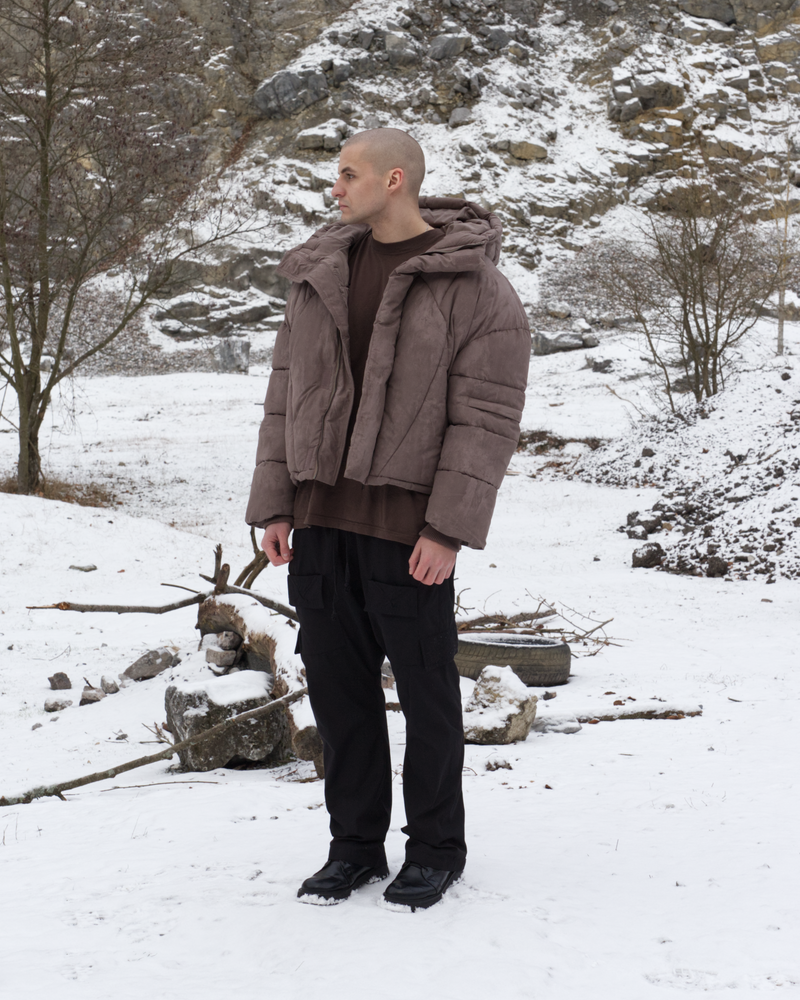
(693, 278)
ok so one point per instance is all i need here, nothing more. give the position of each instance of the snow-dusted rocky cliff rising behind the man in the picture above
(561, 118)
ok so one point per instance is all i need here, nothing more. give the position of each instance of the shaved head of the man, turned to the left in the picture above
(380, 173)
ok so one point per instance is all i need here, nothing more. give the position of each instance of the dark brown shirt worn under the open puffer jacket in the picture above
(381, 511)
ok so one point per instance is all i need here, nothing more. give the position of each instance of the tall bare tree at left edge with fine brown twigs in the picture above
(99, 175)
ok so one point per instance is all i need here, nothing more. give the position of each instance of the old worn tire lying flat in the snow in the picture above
(538, 662)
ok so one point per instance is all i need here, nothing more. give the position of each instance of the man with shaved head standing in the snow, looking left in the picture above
(391, 415)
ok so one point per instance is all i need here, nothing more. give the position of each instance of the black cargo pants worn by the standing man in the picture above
(357, 603)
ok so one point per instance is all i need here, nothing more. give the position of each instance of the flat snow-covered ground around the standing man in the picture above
(645, 859)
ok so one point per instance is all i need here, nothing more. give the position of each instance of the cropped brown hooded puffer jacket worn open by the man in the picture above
(444, 384)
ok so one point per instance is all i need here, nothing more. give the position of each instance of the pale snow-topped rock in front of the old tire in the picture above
(500, 709)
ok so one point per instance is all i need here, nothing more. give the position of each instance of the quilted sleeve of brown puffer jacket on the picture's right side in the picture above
(485, 397)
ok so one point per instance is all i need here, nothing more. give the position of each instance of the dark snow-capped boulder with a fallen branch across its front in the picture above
(194, 707)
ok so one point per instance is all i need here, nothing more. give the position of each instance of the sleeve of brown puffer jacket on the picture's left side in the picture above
(272, 490)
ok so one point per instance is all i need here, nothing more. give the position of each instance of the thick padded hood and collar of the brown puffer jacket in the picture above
(471, 234)
